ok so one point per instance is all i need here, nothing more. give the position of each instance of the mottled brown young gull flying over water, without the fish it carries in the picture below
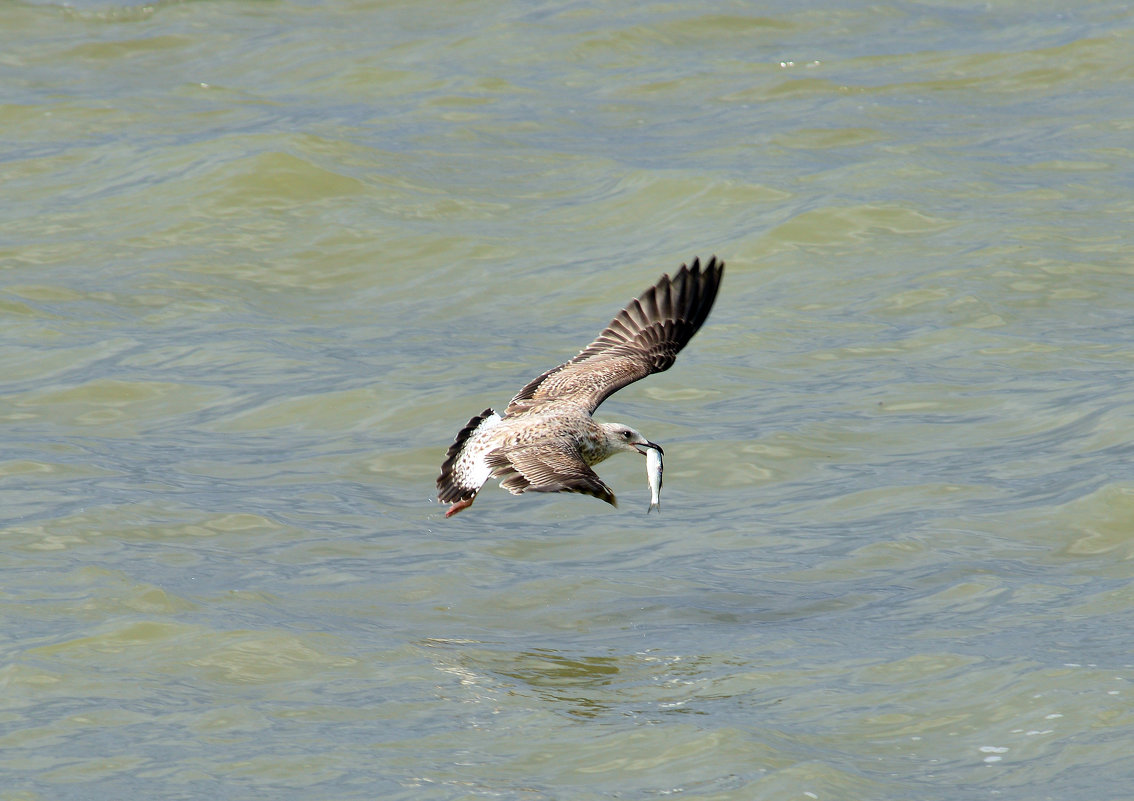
(546, 441)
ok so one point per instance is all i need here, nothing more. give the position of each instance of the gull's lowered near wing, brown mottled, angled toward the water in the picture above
(547, 467)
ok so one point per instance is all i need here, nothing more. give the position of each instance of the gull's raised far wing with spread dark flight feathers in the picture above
(644, 339)
